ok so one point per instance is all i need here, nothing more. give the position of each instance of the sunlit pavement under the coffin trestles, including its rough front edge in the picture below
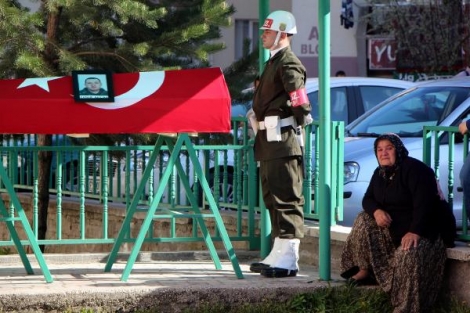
(170, 282)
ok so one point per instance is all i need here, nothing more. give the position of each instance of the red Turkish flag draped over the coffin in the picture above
(179, 101)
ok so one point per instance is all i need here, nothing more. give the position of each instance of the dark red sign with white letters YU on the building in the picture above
(382, 54)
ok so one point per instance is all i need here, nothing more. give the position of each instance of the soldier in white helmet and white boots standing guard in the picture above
(280, 108)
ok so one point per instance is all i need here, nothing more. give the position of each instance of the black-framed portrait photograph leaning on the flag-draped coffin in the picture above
(92, 86)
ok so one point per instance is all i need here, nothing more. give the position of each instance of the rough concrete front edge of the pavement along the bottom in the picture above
(159, 300)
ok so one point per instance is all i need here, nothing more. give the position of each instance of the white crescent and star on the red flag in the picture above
(148, 83)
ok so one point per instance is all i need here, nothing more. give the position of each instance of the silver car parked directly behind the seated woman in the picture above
(434, 103)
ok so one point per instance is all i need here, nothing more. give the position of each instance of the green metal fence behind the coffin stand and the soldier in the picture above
(108, 175)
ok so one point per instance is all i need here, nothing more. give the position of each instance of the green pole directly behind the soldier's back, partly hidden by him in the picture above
(265, 219)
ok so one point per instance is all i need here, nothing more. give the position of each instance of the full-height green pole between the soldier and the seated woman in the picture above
(325, 136)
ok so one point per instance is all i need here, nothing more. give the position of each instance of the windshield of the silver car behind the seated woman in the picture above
(408, 114)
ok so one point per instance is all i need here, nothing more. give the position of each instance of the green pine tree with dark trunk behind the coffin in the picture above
(115, 35)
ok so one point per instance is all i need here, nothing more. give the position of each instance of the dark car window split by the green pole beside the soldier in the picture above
(339, 105)
